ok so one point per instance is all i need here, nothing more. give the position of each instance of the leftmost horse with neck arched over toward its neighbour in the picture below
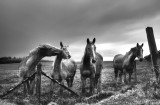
(28, 64)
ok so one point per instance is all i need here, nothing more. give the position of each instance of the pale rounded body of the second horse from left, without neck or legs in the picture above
(69, 65)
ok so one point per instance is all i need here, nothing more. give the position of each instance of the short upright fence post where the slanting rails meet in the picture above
(38, 81)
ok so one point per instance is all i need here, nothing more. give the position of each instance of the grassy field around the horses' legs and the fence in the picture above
(141, 93)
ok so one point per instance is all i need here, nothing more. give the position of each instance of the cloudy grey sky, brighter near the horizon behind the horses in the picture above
(117, 25)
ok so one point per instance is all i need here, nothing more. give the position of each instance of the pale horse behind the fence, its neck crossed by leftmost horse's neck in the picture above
(63, 70)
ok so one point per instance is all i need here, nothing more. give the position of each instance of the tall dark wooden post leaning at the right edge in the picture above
(153, 51)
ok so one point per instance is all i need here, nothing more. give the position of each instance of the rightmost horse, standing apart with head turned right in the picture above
(126, 63)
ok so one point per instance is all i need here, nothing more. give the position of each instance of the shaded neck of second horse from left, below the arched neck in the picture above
(57, 64)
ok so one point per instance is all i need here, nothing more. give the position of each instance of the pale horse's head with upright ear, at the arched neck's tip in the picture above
(65, 53)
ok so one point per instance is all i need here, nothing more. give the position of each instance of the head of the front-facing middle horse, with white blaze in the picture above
(90, 50)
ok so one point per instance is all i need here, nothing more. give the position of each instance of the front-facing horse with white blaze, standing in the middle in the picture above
(91, 67)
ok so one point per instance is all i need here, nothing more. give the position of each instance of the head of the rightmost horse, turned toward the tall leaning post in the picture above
(139, 52)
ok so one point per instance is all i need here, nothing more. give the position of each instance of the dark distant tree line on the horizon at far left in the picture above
(4, 60)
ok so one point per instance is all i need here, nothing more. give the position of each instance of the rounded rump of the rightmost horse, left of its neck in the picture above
(118, 61)
